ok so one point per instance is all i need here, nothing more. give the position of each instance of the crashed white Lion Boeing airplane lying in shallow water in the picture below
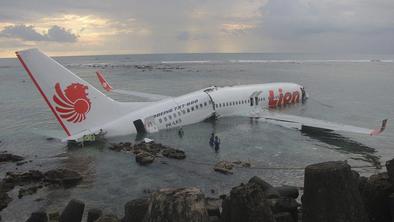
(82, 110)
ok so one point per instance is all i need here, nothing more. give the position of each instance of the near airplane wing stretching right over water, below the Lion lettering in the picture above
(298, 122)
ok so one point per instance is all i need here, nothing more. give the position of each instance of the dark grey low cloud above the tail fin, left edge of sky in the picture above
(29, 33)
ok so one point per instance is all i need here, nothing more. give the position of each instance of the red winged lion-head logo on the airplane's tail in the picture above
(72, 104)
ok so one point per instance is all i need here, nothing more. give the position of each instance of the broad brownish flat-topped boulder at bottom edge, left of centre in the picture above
(177, 205)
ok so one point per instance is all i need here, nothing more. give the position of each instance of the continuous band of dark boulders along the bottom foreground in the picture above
(332, 192)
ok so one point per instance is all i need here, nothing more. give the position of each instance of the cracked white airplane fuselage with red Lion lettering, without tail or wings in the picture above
(203, 104)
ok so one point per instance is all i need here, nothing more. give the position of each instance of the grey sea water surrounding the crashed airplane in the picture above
(352, 89)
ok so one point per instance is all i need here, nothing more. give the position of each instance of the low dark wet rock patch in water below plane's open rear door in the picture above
(146, 153)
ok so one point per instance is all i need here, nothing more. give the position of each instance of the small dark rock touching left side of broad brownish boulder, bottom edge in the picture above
(135, 210)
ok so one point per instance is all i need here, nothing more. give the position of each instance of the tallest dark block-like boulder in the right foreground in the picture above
(331, 194)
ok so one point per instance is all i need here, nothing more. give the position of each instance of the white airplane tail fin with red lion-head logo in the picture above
(76, 104)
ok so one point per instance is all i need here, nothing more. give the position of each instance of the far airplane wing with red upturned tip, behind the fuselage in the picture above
(107, 87)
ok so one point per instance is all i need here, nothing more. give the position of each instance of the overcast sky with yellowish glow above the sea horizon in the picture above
(71, 27)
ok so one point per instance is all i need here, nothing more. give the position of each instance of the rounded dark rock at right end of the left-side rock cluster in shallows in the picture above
(63, 177)
